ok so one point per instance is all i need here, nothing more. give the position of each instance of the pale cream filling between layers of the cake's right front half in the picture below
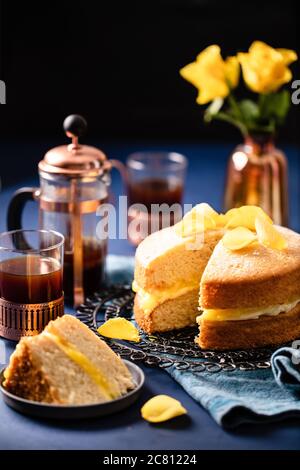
(245, 313)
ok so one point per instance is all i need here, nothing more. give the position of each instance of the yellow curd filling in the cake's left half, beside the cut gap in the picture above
(148, 301)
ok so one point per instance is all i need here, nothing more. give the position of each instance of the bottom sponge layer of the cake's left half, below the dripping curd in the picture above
(170, 315)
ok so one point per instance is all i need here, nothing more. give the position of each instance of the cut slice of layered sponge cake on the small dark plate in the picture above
(66, 364)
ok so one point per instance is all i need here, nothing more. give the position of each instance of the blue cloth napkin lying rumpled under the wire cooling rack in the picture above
(237, 397)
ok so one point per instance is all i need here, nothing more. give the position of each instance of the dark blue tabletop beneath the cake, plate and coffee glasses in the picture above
(127, 430)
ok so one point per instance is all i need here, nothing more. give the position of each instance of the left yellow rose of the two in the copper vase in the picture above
(213, 76)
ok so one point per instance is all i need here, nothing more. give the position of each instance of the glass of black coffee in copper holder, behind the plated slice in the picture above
(31, 281)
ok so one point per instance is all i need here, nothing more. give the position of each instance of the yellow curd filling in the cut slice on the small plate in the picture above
(81, 360)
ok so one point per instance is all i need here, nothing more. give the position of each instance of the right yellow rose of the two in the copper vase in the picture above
(265, 69)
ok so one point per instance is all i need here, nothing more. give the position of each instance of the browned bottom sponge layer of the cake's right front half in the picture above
(247, 334)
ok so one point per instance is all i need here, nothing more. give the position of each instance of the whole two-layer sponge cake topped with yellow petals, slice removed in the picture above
(246, 271)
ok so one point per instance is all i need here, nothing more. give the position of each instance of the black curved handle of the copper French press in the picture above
(16, 206)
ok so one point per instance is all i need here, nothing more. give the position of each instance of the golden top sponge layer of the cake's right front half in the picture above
(254, 276)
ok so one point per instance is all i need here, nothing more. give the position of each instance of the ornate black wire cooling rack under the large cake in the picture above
(176, 348)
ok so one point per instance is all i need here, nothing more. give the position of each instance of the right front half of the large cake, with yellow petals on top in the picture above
(250, 295)
